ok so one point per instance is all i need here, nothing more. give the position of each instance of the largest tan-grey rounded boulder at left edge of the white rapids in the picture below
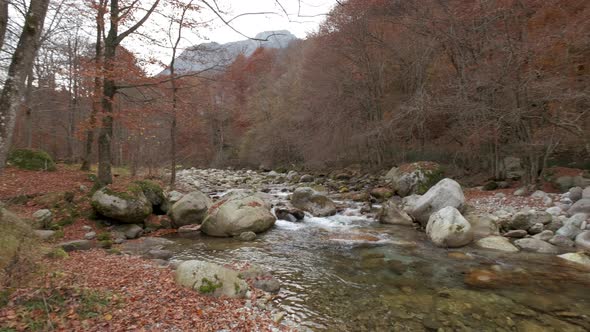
(235, 214)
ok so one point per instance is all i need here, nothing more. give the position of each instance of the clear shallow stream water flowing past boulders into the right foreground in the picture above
(349, 273)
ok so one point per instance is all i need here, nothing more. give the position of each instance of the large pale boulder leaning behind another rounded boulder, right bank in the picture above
(445, 193)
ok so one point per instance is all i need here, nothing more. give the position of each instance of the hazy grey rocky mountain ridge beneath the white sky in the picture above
(214, 56)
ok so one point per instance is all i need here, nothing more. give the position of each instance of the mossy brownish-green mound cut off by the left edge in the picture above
(17, 246)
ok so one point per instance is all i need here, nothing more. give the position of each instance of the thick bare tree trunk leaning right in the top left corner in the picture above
(22, 61)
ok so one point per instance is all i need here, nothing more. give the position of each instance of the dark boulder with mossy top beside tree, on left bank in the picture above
(127, 207)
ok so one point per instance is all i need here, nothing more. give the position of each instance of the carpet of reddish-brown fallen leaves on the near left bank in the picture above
(101, 292)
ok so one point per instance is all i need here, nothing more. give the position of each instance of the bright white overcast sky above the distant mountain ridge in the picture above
(303, 18)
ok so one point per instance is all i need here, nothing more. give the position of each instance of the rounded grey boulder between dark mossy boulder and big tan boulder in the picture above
(190, 209)
